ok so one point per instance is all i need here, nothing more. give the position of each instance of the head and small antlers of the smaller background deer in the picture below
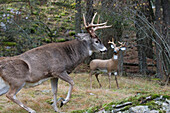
(117, 49)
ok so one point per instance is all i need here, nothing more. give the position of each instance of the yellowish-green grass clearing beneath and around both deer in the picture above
(83, 97)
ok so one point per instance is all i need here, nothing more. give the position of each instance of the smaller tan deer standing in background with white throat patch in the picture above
(108, 65)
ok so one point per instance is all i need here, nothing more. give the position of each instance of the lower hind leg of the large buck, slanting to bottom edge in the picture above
(12, 96)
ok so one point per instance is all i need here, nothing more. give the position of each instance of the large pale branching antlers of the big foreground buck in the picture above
(93, 26)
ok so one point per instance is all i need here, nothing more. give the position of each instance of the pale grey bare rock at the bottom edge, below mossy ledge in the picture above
(139, 109)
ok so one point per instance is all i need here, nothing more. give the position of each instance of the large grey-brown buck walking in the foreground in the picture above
(55, 60)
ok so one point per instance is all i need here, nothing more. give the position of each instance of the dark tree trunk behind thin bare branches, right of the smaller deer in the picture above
(142, 39)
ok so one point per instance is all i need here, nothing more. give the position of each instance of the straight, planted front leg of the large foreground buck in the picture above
(54, 85)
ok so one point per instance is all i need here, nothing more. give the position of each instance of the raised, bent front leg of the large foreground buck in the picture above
(64, 76)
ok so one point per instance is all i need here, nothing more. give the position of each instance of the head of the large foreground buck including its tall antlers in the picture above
(95, 43)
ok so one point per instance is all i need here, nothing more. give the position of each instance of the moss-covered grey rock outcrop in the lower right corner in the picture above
(148, 104)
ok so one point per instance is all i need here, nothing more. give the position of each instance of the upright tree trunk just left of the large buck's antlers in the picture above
(78, 17)
